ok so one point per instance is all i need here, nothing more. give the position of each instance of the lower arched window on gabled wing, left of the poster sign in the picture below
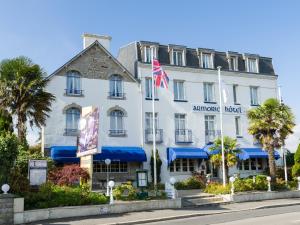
(72, 119)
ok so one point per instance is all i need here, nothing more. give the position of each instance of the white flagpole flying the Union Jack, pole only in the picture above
(153, 124)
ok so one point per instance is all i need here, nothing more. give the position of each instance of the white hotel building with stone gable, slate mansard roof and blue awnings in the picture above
(187, 117)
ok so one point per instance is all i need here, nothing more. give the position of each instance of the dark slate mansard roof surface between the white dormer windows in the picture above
(192, 59)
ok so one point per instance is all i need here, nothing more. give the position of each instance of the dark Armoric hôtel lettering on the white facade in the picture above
(231, 109)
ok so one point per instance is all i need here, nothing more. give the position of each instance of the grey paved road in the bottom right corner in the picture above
(289, 215)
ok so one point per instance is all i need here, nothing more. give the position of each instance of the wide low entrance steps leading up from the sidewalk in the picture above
(201, 200)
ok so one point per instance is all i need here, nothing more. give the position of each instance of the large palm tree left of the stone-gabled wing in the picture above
(22, 93)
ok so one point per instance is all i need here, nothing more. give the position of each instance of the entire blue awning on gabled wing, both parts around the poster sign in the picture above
(67, 154)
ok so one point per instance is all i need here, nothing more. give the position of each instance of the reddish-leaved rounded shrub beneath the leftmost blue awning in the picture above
(68, 175)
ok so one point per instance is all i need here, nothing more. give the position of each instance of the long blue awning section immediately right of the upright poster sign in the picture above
(124, 154)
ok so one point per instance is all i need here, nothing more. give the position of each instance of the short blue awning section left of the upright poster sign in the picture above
(64, 154)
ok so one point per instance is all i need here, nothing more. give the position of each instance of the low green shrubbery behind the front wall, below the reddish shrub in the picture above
(50, 195)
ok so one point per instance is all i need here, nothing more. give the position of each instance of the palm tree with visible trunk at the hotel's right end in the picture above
(270, 124)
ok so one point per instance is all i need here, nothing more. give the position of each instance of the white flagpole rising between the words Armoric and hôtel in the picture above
(221, 126)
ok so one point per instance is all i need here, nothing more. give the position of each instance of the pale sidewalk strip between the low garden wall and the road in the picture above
(169, 214)
